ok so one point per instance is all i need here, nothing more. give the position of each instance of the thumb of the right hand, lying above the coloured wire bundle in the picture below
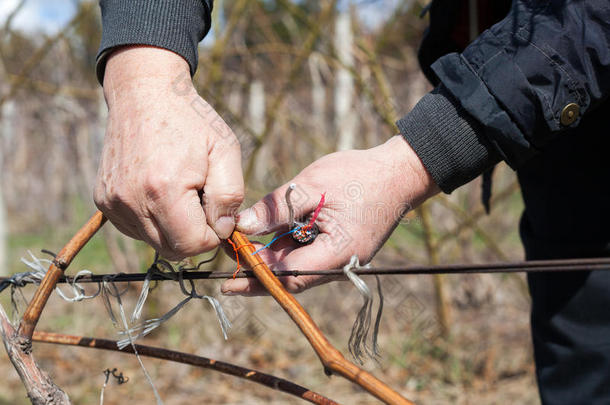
(273, 212)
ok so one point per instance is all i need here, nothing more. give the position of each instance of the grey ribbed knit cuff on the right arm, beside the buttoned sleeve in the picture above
(450, 143)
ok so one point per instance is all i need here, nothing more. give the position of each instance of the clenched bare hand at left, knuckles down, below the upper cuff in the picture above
(166, 152)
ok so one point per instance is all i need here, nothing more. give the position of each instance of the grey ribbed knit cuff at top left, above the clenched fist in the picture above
(176, 25)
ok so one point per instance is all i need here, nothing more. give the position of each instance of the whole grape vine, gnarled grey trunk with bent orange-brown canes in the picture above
(42, 390)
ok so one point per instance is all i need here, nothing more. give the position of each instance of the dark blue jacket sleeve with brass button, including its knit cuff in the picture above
(524, 81)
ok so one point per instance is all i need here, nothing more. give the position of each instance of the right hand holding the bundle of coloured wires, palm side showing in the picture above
(367, 193)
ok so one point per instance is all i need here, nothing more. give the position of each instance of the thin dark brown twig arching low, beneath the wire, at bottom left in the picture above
(267, 380)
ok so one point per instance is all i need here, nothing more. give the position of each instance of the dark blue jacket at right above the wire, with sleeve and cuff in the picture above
(511, 86)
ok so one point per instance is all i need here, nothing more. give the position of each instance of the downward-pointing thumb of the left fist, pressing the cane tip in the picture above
(223, 192)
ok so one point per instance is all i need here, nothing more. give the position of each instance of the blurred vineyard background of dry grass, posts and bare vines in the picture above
(295, 80)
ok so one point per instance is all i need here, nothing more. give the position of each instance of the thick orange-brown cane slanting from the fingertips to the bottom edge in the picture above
(331, 358)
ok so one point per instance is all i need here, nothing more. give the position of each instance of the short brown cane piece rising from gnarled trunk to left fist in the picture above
(57, 268)
